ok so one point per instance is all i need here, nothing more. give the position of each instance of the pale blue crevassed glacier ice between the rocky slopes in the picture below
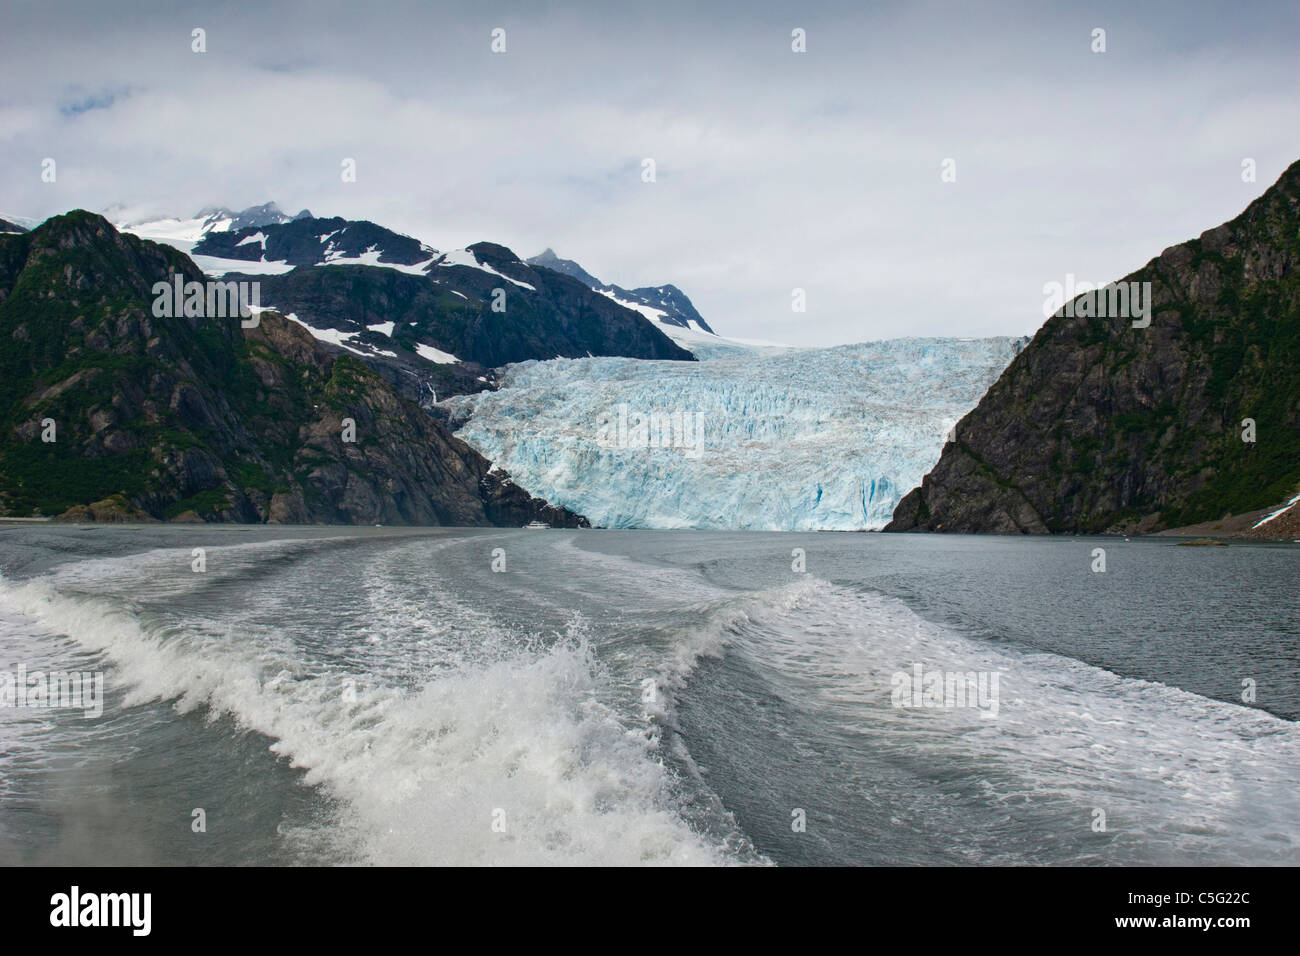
(756, 439)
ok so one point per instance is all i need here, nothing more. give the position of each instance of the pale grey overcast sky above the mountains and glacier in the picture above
(775, 171)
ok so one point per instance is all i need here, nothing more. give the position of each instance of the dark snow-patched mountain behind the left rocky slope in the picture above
(395, 301)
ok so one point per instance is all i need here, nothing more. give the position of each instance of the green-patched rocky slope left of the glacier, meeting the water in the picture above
(201, 419)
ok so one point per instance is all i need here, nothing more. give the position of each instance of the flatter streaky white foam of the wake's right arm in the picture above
(1197, 778)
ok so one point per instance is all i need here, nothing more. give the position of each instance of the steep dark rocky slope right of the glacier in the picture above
(1103, 427)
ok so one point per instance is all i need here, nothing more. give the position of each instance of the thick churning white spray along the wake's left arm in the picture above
(515, 736)
